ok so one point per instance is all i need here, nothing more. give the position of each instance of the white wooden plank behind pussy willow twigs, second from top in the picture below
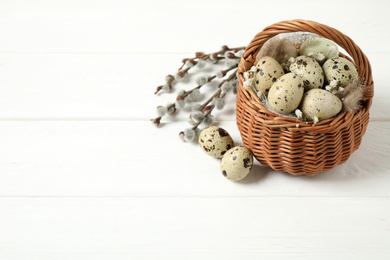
(108, 86)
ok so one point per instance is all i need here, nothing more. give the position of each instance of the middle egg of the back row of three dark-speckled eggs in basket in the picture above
(310, 71)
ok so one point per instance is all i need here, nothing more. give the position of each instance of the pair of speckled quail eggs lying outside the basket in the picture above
(236, 161)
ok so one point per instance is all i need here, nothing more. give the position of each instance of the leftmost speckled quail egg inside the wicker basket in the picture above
(268, 71)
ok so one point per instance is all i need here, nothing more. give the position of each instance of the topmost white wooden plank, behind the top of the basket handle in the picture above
(155, 26)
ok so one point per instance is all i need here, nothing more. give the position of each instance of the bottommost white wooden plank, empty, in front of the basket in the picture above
(194, 228)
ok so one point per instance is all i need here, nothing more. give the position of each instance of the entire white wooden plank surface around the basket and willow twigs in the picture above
(84, 174)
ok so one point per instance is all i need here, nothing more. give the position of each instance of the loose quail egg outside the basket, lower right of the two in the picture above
(236, 163)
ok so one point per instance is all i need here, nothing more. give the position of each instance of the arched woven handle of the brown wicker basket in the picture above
(358, 57)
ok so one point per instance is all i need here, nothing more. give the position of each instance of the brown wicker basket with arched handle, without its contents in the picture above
(310, 148)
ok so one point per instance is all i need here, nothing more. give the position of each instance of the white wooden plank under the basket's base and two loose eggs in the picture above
(133, 158)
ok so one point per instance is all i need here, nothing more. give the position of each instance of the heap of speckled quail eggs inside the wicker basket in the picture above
(310, 83)
